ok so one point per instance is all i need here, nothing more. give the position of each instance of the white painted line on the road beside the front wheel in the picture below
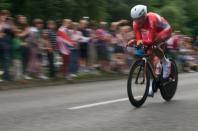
(99, 103)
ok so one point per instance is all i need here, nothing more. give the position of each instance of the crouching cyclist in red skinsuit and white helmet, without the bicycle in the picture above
(150, 28)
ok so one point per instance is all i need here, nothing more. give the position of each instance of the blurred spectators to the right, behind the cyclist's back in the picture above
(184, 49)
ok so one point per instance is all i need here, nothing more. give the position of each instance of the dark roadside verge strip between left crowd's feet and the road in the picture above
(57, 82)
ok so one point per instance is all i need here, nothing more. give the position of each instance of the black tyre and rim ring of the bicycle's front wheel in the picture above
(133, 101)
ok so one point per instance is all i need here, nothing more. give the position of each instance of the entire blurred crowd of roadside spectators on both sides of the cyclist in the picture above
(47, 49)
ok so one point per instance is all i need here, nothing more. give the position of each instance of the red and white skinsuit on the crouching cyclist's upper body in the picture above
(154, 27)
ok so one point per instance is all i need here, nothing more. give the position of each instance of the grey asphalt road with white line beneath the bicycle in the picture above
(98, 106)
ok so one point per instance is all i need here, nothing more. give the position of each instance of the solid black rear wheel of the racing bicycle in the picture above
(169, 89)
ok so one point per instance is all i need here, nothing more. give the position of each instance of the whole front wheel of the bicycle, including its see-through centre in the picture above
(138, 83)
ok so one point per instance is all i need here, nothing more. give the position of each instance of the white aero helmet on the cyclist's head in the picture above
(138, 11)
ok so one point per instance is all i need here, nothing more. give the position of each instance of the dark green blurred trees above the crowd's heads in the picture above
(182, 14)
